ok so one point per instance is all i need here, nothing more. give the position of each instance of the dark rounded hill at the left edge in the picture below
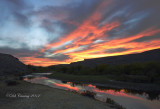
(11, 65)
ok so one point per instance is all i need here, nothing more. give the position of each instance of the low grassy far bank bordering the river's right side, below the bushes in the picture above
(104, 81)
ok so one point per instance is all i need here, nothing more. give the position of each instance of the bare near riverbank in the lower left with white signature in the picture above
(25, 95)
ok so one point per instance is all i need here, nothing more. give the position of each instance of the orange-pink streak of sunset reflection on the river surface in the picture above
(85, 87)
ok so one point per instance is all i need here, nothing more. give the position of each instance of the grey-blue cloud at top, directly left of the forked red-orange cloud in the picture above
(68, 17)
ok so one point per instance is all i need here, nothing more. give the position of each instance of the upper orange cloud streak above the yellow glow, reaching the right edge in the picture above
(121, 42)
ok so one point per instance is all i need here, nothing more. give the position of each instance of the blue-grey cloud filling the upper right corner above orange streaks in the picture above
(135, 16)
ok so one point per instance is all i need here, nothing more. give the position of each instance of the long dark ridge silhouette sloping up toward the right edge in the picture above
(152, 55)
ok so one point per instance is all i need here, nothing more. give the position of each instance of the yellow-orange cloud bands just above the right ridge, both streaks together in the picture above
(98, 50)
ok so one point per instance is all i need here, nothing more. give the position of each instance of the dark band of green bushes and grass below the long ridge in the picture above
(148, 72)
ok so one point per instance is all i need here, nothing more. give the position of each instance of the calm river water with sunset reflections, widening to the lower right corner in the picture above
(127, 98)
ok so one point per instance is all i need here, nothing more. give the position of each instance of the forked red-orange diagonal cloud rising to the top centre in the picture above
(88, 26)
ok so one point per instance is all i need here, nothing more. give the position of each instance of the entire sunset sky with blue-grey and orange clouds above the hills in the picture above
(49, 32)
